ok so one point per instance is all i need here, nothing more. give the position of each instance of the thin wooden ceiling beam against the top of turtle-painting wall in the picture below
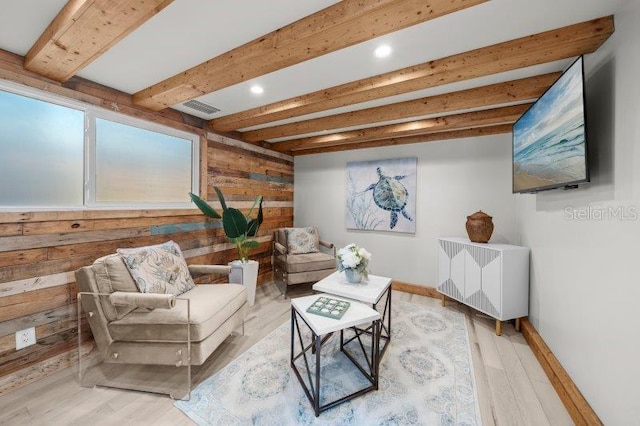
(432, 137)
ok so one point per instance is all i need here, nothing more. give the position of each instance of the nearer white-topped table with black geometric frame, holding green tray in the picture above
(358, 314)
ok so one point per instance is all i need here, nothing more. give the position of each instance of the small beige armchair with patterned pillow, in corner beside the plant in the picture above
(300, 256)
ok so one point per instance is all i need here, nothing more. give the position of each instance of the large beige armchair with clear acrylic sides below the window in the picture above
(134, 329)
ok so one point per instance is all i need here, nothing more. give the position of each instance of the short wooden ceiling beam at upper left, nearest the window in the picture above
(82, 31)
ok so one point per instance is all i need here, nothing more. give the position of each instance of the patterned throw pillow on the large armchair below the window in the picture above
(158, 269)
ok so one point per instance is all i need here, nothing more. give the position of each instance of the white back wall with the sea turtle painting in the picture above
(454, 179)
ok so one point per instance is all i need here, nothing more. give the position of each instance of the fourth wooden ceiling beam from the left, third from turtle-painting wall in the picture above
(494, 94)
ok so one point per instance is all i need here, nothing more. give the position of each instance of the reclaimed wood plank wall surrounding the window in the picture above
(39, 250)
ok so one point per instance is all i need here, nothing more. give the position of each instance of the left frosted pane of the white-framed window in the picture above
(41, 153)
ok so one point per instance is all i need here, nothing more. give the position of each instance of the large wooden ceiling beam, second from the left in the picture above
(336, 27)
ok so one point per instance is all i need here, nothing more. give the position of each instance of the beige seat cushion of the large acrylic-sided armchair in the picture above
(211, 305)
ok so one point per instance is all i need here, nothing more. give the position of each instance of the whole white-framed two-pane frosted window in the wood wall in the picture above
(56, 153)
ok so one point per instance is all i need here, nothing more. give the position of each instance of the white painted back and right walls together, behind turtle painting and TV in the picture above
(585, 274)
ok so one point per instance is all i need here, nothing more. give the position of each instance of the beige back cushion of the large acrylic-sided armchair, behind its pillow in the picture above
(112, 275)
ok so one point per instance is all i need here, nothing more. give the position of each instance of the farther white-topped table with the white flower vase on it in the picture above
(370, 291)
